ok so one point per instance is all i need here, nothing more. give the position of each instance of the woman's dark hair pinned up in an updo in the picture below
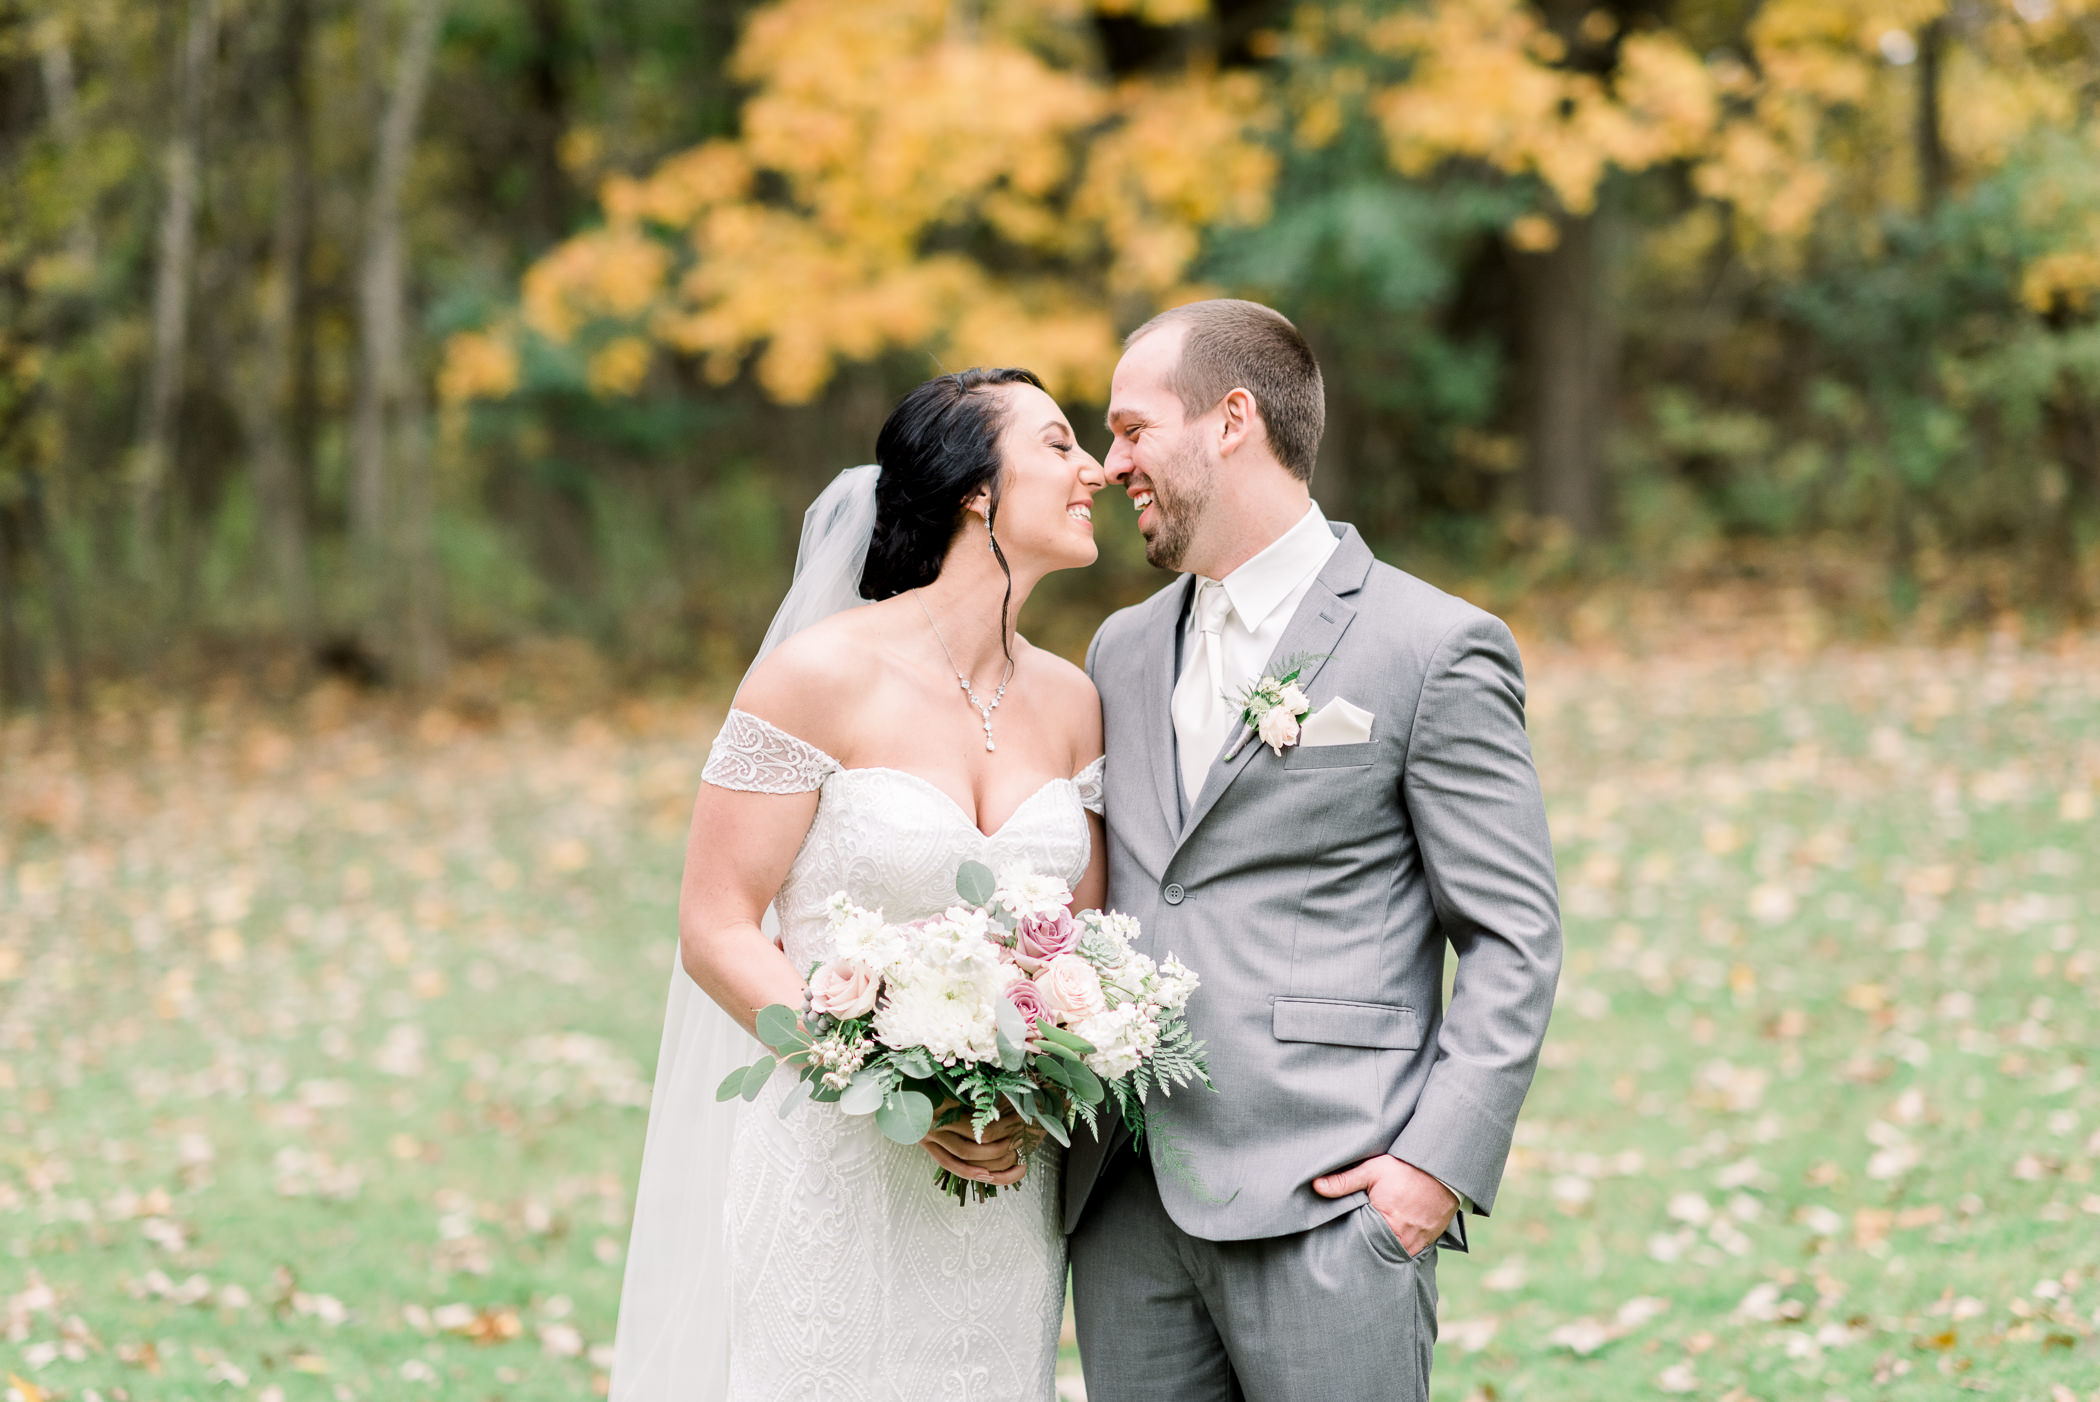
(938, 448)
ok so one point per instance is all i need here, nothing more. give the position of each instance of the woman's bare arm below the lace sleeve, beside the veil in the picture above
(736, 857)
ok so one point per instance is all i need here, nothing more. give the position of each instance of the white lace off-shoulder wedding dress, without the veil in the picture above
(856, 1279)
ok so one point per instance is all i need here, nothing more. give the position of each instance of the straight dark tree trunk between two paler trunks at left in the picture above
(274, 410)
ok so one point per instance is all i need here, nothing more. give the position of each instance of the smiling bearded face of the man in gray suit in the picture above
(1158, 456)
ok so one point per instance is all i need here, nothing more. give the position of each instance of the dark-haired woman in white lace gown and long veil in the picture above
(870, 750)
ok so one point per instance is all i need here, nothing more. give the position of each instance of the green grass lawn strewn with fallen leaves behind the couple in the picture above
(327, 1036)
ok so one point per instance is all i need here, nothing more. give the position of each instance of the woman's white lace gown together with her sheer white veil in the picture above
(807, 1256)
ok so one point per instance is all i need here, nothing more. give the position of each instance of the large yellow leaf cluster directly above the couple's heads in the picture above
(883, 137)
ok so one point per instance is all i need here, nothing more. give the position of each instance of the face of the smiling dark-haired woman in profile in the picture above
(1047, 486)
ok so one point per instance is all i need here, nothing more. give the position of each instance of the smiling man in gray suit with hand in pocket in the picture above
(1278, 1239)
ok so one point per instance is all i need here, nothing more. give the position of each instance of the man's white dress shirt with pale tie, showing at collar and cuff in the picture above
(1263, 595)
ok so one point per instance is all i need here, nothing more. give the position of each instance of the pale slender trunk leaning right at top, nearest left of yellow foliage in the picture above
(387, 417)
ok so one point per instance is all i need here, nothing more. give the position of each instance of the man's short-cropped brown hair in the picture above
(1238, 345)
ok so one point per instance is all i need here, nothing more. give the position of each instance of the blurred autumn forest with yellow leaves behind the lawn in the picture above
(387, 333)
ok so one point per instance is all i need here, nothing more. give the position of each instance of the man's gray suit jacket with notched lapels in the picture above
(1316, 895)
